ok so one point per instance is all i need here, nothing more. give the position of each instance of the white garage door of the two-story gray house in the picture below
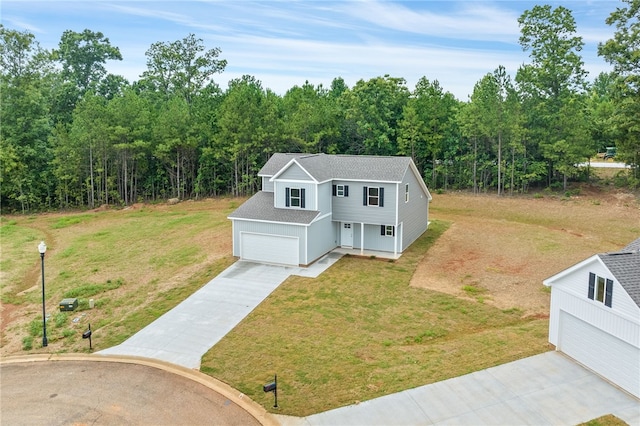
(269, 248)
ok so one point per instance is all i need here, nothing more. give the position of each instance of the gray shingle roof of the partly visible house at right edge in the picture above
(625, 266)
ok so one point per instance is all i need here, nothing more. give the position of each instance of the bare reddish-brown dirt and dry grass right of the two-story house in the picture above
(505, 247)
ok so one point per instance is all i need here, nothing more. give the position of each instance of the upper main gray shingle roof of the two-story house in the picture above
(324, 167)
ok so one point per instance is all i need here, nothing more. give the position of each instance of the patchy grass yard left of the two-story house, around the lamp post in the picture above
(135, 263)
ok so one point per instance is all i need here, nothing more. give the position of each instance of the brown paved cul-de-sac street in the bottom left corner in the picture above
(112, 393)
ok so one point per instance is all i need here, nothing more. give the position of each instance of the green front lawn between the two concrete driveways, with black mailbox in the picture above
(359, 331)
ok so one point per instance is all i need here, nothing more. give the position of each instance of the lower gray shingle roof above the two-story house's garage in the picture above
(260, 207)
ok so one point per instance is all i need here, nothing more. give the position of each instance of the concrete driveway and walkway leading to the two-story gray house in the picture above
(185, 333)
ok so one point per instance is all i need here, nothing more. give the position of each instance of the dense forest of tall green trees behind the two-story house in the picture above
(74, 136)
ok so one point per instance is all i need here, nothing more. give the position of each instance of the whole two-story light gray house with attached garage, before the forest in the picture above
(311, 204)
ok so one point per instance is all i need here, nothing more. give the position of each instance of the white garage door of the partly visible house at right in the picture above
(612, 358)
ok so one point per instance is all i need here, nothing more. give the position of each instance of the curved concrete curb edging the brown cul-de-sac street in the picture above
(238, 398)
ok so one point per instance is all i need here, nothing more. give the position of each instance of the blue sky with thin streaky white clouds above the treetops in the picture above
(285, 43)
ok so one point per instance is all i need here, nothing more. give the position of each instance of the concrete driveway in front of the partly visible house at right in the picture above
(547, 389)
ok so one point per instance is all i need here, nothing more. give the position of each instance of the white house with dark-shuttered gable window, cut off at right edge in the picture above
(595, 315)
